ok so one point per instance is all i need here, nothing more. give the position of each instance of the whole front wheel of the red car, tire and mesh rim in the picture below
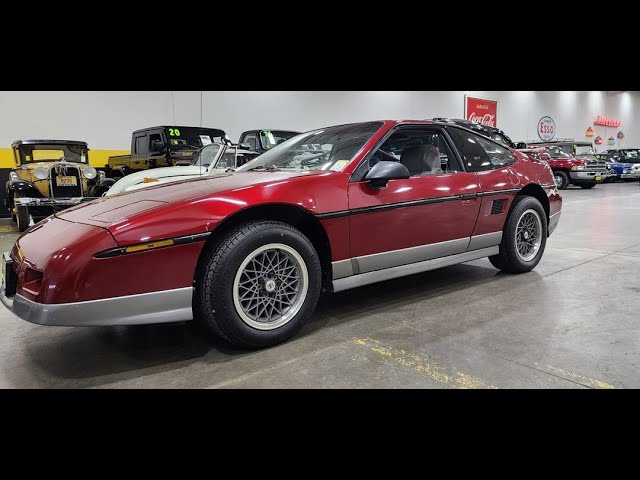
(258, 285)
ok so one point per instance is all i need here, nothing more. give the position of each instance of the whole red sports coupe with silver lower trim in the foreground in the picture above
(247, 252)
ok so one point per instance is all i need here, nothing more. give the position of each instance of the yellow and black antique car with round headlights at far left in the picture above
(49, 176)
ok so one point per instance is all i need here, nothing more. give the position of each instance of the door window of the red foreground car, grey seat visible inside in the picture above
(424, 151)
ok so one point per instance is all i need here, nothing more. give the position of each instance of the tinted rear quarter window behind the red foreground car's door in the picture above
(479, 154)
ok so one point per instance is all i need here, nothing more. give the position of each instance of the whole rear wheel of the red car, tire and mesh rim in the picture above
(524, 237)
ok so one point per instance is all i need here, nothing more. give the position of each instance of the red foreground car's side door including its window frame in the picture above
(429, 215)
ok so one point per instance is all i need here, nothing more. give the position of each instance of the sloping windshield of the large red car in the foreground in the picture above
(329, 148)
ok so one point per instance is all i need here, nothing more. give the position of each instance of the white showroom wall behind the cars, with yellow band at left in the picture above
(106, 119)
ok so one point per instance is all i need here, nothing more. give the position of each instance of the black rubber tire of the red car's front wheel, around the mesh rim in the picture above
(213, 301)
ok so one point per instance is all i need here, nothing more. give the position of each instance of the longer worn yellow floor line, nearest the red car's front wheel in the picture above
(428, 368)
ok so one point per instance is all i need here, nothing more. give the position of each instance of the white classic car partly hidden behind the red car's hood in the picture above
(209, 160)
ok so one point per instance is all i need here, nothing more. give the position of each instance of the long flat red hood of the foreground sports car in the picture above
(117, 210)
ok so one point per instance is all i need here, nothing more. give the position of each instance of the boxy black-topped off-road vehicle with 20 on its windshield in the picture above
(163, 146)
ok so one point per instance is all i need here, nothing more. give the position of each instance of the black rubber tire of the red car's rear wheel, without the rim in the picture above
(508, 260)
